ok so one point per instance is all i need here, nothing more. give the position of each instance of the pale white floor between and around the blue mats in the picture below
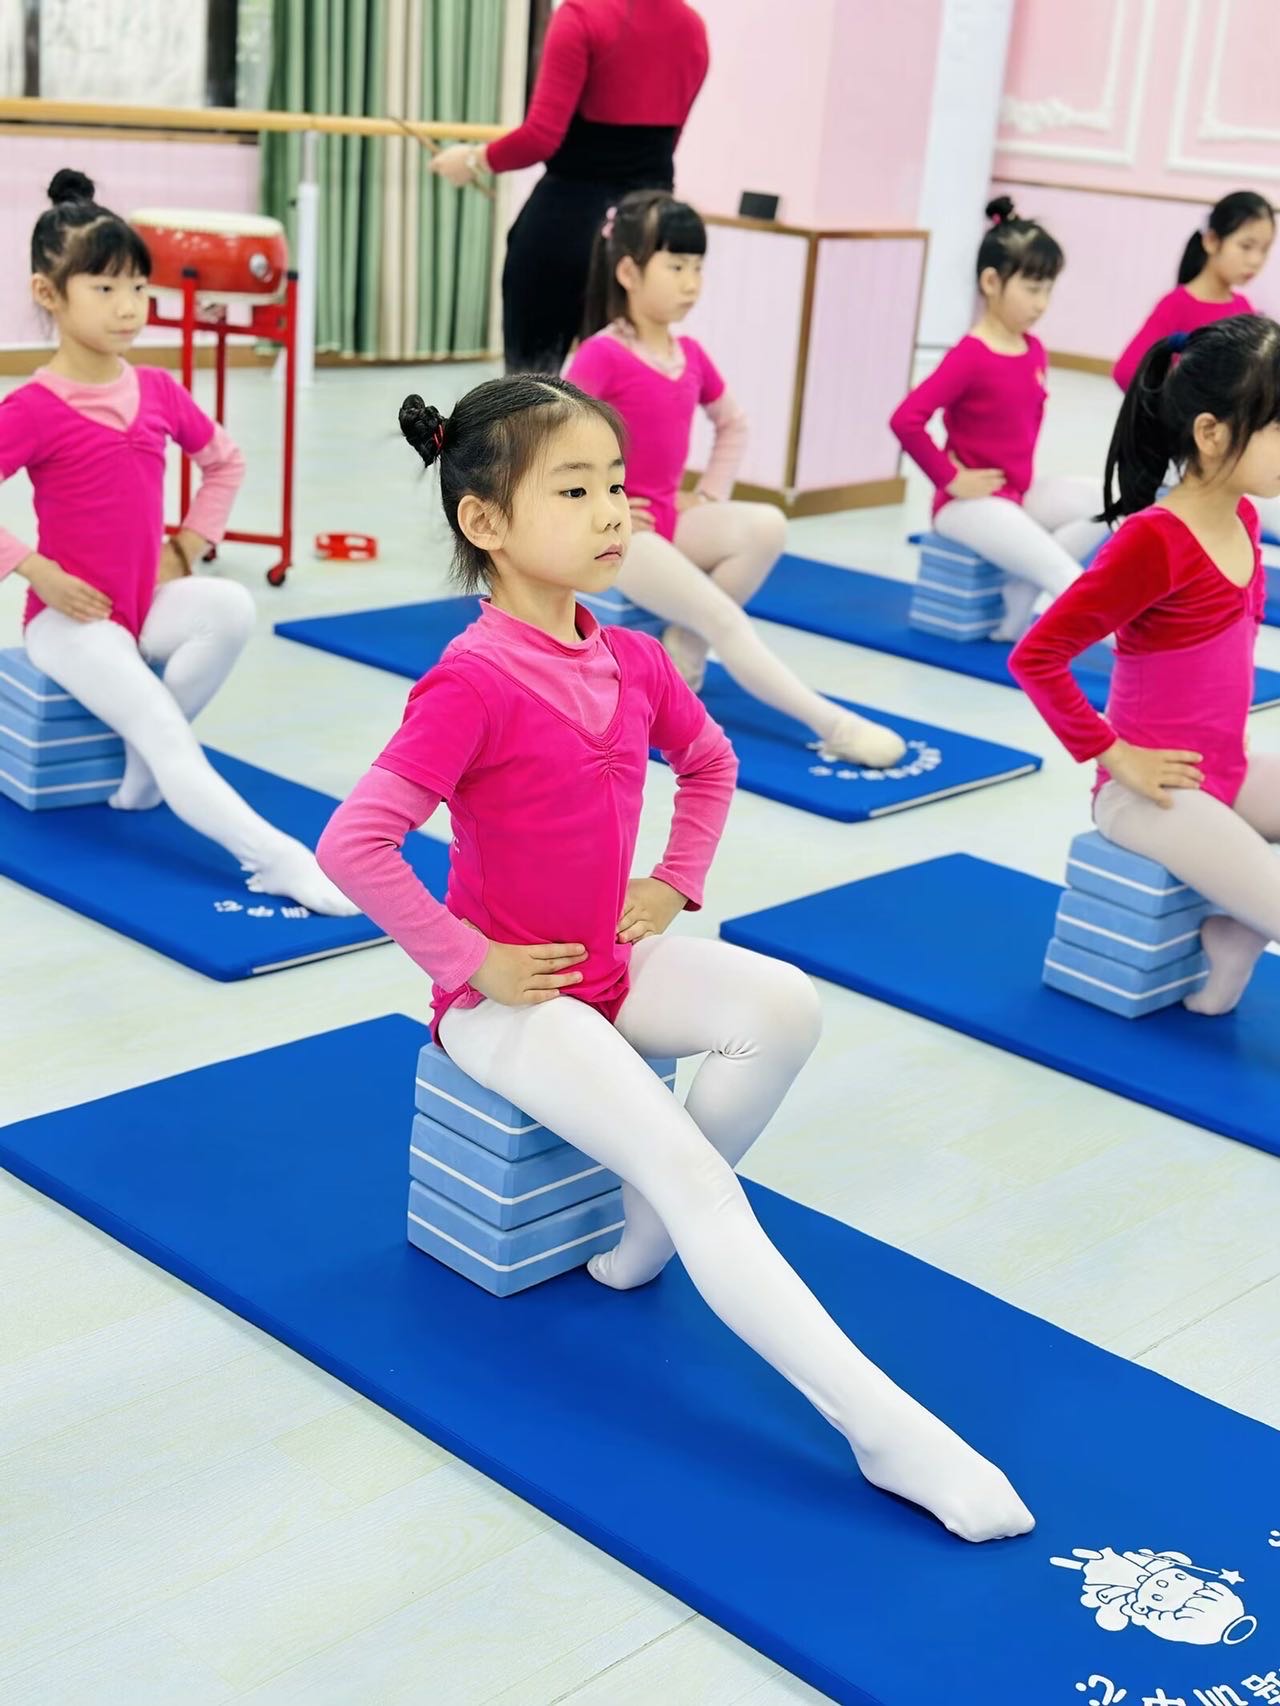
(194, 1514)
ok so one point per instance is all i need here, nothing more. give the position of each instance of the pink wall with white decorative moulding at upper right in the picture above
(1117, 107)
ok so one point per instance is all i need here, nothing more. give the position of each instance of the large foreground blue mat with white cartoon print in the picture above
(646, 1427)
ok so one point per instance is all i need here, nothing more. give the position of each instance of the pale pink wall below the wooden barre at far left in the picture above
(129, 175)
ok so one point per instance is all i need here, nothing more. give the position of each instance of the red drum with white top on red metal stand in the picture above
(240, 257)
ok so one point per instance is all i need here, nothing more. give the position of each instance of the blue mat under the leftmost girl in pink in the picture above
(154, 879)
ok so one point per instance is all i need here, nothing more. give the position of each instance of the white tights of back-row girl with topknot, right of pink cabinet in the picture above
(1040, 542)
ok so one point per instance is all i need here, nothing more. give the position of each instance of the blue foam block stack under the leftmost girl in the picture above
(52, 751)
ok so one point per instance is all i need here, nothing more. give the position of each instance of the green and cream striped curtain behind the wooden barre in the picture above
(404, 258)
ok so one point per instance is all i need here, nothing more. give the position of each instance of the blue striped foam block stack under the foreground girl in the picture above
(494, 1195)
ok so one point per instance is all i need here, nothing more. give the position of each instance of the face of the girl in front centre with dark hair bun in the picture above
(571, 523)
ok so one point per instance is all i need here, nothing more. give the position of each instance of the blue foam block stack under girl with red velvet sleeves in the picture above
(1127, 936)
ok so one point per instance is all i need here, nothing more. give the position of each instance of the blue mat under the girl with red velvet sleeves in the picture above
(962, 943)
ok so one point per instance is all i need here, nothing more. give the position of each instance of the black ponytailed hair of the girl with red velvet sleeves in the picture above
(1228, 371)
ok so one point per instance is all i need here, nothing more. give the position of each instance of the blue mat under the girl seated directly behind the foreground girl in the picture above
(776, 753)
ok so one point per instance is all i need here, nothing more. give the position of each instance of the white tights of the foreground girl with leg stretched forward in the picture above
(757, 1021)
